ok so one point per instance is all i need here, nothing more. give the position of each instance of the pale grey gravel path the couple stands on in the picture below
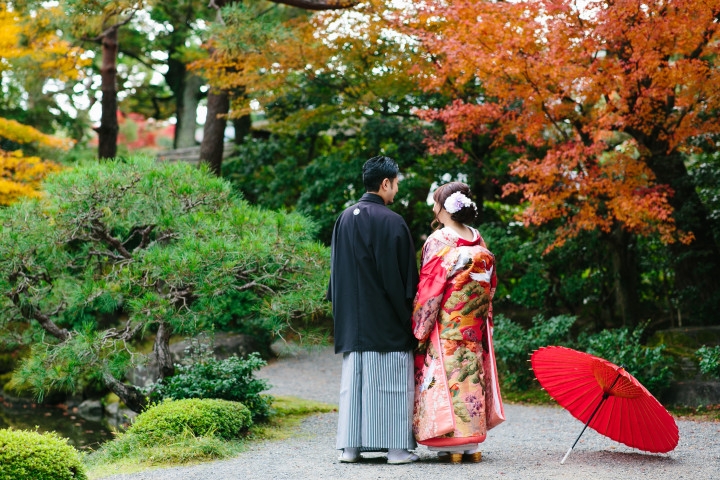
(529, 445)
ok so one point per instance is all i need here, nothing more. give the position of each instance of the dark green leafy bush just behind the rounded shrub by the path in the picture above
(230, 379)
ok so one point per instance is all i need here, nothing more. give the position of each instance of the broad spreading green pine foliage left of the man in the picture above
(116, 249)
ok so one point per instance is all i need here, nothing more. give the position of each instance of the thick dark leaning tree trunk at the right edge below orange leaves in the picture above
(697, 284)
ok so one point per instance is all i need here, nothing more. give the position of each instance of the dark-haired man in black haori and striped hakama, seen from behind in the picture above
(373, 281)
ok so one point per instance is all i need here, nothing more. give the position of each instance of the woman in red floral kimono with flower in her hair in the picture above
(451, 314)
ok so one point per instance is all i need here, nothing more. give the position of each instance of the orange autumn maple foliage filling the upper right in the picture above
(613, 93)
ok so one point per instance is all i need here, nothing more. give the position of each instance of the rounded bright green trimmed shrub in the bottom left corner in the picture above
(38, 456)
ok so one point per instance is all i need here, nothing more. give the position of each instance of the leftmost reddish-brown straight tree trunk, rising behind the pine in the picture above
(108, 130)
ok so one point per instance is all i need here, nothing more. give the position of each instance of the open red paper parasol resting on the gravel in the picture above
(583, 383)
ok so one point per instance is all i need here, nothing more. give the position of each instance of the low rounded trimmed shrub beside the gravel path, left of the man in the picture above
(196, 417)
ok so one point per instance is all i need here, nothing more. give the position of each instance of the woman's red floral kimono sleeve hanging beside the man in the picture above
(433, 278)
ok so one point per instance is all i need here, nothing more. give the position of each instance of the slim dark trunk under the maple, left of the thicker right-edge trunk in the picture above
(625, 276)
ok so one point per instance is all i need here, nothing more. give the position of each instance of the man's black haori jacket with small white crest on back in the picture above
(373, 280)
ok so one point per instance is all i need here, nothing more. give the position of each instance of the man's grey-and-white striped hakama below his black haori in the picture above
(377, 390)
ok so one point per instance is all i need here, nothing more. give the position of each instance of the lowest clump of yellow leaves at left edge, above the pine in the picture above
(21, 176)
